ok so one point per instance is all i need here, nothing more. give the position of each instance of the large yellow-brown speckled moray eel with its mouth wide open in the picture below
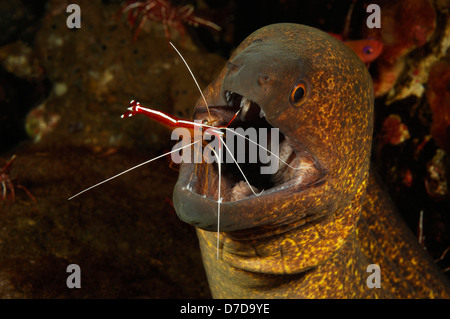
(314, 231)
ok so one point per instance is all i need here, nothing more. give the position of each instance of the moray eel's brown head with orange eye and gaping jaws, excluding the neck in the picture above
(318, 95)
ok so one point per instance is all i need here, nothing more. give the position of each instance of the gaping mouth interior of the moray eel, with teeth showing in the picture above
(287, 164)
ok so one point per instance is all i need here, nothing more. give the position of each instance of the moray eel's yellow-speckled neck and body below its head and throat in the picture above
(380, 238)
